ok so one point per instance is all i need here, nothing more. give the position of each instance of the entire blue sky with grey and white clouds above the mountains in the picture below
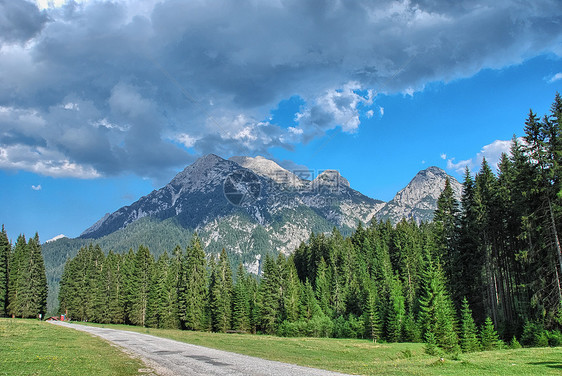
(102, 102)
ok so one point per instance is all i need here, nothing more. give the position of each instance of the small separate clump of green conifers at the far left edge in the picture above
(23, 283)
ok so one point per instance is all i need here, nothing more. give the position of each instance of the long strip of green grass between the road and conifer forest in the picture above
(366, 357)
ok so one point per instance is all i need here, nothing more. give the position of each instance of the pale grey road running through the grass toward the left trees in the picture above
(169, 357)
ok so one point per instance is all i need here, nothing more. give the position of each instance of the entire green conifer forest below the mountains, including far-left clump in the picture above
(485, 273)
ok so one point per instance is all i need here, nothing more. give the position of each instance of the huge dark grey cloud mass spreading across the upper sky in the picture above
(107, 87)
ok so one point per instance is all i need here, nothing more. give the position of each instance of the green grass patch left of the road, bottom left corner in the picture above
(31, 347)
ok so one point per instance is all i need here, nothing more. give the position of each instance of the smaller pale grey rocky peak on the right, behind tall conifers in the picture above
(418, 200)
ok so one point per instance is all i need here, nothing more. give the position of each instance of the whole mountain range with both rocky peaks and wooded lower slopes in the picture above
(249, 206)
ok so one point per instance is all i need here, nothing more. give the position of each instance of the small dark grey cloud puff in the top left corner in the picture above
(19, 21)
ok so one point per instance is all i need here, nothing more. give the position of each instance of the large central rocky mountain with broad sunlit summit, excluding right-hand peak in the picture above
(247, 205)
